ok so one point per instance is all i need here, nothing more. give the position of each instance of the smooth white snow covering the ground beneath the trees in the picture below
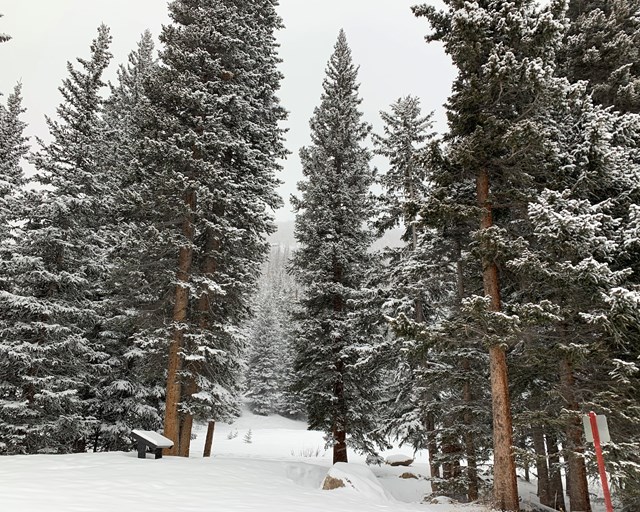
(280, 470)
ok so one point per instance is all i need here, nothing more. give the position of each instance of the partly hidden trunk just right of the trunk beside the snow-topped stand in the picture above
(208, 268)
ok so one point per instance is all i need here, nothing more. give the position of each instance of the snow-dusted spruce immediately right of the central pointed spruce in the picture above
(404, 274)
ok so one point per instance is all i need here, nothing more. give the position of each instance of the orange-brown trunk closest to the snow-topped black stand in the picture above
(180, 308)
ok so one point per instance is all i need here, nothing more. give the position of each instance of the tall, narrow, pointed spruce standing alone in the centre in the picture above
(334, 346)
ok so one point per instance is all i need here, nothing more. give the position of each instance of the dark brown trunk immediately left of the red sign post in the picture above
(577, 485)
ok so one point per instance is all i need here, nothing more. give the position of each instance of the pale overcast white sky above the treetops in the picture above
(386, 40)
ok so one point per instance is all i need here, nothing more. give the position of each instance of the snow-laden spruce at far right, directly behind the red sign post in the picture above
(579, 221)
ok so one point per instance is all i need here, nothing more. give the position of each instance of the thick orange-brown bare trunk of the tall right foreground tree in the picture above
(505, 488)
